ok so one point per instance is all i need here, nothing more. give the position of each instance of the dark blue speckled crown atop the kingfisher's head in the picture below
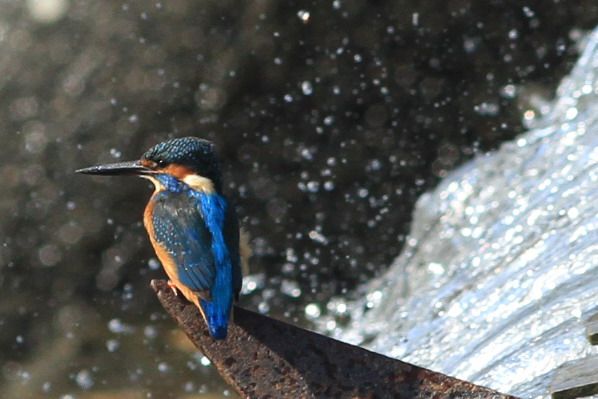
(192, 152)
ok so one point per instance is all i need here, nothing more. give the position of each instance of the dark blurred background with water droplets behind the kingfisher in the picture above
(331, 118)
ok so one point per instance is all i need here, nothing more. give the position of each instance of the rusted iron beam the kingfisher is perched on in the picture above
(267, 358)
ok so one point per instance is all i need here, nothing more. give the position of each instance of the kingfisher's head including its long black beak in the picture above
(190, 160)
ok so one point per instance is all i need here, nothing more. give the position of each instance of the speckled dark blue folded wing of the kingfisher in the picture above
(180, 228)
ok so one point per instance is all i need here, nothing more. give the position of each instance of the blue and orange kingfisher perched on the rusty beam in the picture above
(191, 224)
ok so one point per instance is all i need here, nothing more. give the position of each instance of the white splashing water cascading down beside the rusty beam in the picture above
(501, 267)
